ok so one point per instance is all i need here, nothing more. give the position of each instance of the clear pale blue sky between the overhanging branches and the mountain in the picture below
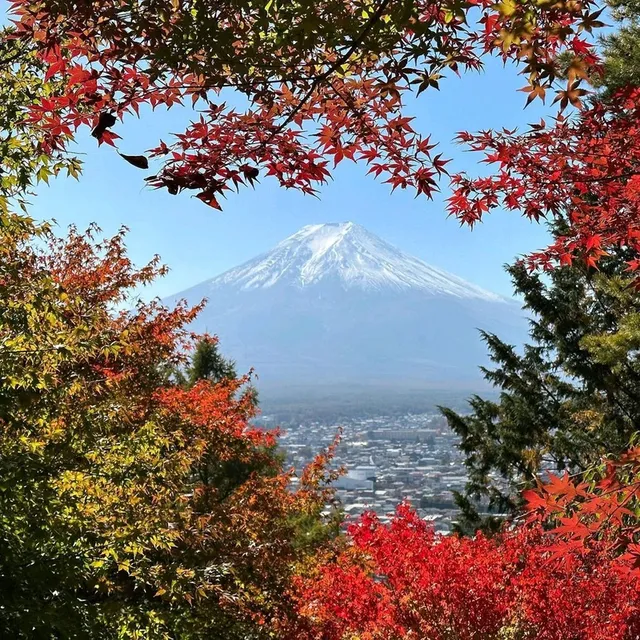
(198, 242)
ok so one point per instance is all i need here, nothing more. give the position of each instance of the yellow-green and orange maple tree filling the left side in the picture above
(118, 514)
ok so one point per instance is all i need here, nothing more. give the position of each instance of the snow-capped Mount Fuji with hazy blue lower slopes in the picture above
(335, 304)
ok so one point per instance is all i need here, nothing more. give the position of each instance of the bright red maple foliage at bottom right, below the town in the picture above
(401, 580)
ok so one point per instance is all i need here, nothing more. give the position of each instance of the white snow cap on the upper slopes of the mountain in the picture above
(349, 254)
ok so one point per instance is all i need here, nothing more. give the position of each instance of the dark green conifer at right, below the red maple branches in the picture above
(569, 397)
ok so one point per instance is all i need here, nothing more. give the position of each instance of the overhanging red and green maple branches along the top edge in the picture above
(323, 81)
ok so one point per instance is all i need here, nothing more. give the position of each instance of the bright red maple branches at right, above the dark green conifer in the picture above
(581, 168)
